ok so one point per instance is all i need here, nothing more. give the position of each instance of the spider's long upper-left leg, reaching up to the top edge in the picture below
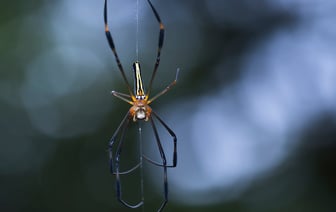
(112, 46)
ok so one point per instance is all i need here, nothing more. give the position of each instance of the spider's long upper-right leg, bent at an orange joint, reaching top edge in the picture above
(160, 44)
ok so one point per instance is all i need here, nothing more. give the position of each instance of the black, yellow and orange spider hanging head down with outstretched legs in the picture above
(140, 111)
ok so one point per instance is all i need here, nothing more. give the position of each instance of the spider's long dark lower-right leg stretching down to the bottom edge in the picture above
(164, 165)
